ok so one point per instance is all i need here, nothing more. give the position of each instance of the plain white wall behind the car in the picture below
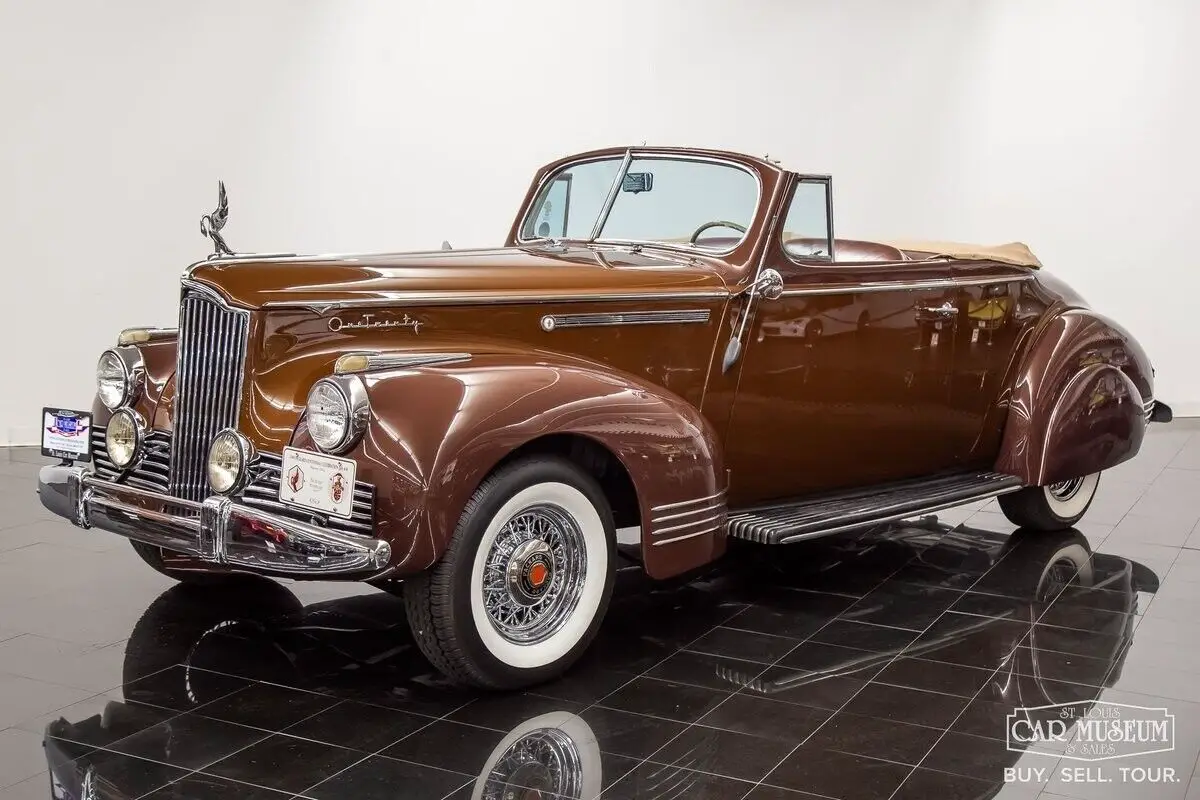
(353, 125)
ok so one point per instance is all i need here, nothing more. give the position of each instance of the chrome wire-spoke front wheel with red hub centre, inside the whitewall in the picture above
(535, 574)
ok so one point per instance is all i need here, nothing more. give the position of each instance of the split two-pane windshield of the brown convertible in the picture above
(681, 202)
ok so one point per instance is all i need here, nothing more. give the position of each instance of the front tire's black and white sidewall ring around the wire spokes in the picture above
(485, 520)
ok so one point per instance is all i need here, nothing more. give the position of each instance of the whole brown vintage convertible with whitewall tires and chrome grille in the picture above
(670, 351)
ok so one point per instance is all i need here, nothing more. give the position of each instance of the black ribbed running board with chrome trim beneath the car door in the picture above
(783, 524)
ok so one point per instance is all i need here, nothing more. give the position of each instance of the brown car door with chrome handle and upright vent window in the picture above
(845, 376)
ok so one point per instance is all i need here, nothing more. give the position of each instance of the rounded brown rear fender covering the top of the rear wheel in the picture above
(1078, 404)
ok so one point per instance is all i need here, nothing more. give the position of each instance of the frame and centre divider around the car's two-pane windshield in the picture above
(627, 160)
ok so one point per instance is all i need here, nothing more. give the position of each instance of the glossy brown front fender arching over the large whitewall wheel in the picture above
(436, 434)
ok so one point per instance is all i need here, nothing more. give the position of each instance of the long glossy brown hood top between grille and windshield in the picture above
(448, 276)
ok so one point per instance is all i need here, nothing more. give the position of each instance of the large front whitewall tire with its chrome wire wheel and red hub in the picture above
(525, 582)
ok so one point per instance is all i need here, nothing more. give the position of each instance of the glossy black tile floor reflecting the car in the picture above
(873, 666)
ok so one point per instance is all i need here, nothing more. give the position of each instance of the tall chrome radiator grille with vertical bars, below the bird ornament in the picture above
(208, 387)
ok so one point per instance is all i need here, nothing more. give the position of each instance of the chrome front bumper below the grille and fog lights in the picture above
(219, 531)
